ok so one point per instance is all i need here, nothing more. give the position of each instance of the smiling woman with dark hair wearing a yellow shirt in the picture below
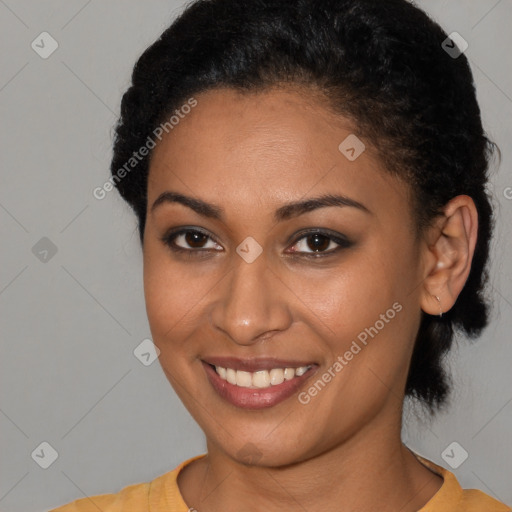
(309, 181)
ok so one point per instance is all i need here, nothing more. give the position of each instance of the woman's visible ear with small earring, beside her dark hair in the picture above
(450, 245)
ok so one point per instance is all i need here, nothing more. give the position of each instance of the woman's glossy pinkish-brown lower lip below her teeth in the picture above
(255, 398)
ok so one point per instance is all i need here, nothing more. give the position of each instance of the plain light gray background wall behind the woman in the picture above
(70, 324)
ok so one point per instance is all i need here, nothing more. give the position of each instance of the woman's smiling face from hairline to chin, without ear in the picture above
(308, 309)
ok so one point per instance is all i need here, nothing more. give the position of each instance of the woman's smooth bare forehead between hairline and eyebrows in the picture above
(277, 144)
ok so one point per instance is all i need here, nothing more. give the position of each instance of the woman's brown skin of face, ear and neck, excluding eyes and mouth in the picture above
(250, 154)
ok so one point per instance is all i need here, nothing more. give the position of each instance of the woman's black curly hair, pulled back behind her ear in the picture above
(381, 65)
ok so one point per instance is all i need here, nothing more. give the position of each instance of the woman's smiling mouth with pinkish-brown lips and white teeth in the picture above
(256, 383)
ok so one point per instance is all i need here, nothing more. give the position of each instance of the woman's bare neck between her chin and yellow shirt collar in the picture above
(372, 470)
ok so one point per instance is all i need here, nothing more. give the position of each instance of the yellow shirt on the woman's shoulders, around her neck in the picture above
(163, 495)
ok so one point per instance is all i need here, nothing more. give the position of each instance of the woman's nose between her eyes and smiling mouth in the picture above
(252, 302)
